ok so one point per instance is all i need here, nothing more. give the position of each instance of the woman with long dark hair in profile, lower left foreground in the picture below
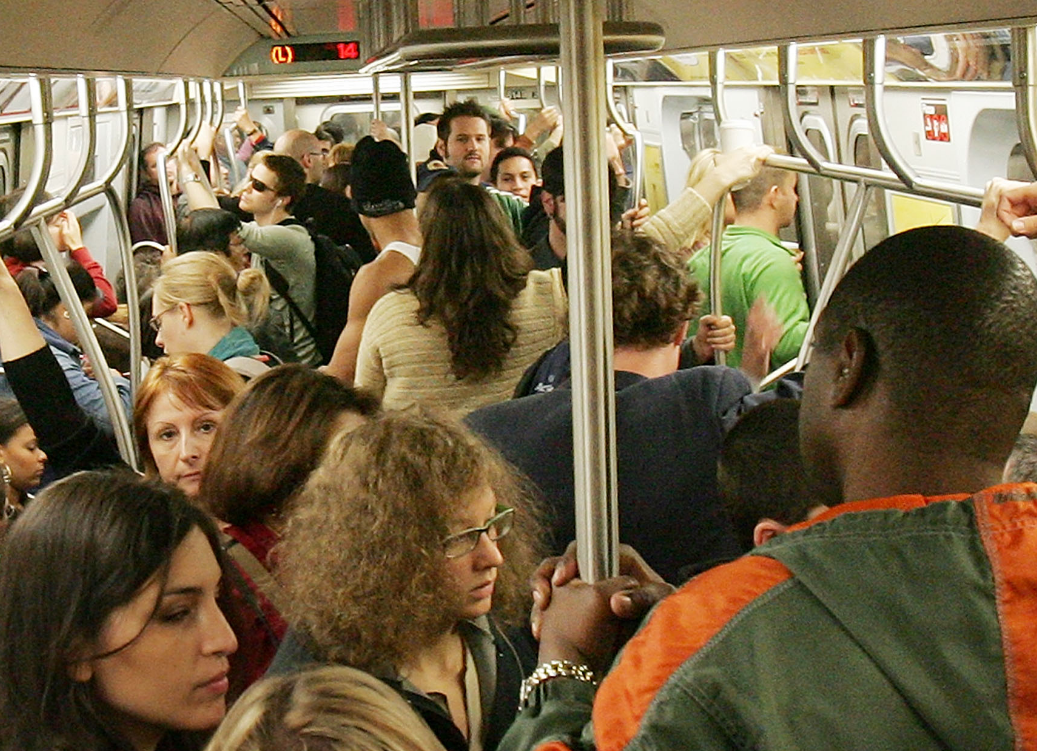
(111, 638)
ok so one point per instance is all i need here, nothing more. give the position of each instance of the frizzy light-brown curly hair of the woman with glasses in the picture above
(362, 560)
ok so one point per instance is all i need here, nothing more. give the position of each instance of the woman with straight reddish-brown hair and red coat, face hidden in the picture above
(272, 438)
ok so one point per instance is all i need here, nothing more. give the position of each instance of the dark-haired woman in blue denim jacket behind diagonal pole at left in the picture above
(55, 324)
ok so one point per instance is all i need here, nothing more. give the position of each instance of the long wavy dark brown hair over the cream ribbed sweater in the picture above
(471, 270)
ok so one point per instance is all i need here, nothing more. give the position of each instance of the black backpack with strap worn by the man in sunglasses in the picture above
(337, 267)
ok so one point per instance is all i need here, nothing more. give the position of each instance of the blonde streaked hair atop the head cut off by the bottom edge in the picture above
(327, 709)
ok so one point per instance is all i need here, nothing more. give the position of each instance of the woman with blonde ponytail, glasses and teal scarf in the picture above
(203, 304)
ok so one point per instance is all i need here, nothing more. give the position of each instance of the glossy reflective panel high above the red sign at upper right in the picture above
(960, 57)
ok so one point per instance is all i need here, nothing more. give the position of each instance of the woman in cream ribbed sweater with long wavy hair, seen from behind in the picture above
(473, 317)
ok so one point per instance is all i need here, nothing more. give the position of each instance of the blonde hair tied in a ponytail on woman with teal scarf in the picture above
(209, 281)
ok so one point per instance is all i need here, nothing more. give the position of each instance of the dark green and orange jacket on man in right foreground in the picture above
(898, 624)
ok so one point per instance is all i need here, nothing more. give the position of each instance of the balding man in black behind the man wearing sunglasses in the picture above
(322, 210)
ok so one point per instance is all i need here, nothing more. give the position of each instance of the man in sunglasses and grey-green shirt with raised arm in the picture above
(279, 245)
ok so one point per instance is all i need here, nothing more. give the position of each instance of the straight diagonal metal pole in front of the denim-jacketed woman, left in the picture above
(88, 341)
